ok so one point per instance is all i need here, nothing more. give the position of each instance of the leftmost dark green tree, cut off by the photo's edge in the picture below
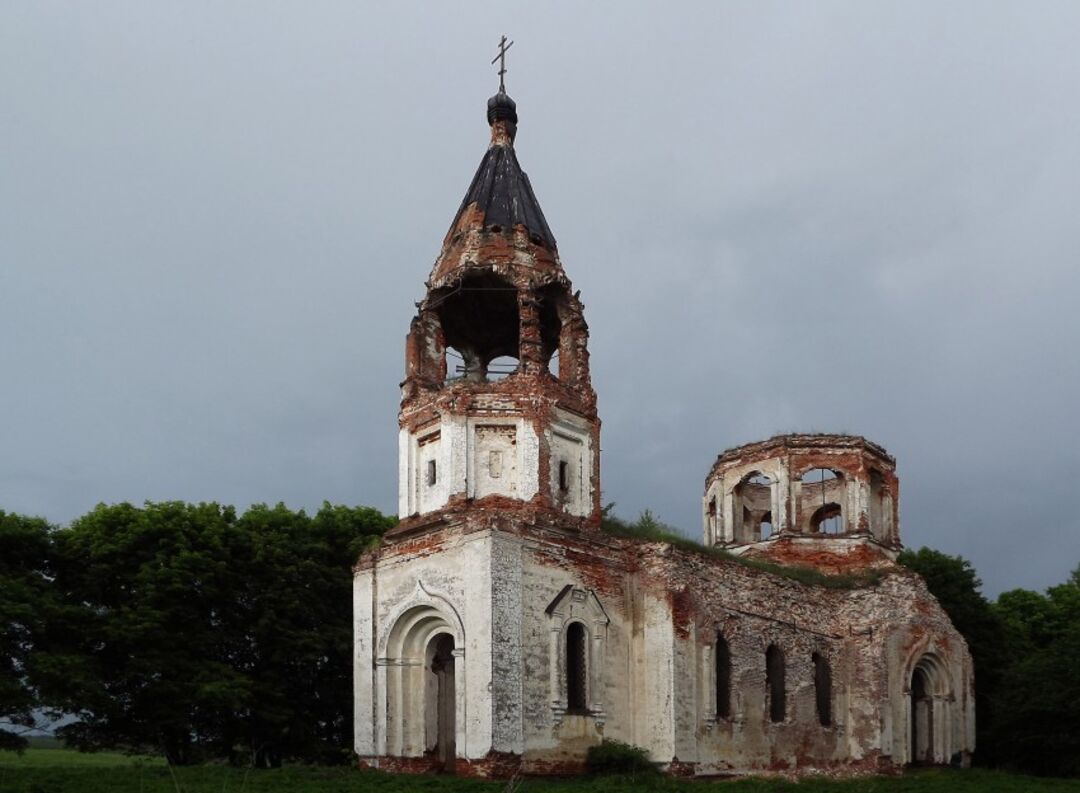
(24, 586)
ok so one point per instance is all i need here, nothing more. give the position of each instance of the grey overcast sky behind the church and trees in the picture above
(862, 218)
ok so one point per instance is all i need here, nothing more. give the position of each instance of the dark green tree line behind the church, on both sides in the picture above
(199, 634)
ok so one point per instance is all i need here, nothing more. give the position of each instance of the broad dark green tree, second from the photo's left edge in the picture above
(148, 592)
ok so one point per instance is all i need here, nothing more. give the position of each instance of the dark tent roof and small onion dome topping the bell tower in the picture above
(501, 191)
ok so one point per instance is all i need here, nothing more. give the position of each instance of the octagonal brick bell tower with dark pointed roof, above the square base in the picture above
(498, 410)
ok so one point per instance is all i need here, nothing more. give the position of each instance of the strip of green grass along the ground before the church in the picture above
(47, 770)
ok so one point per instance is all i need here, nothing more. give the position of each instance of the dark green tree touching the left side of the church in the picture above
(300, 629)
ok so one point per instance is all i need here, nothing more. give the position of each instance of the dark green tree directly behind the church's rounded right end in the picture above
(956, 586)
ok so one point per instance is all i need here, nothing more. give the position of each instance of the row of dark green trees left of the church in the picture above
(184, 630)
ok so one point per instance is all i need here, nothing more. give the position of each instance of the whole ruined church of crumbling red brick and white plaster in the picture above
(501, 629)
